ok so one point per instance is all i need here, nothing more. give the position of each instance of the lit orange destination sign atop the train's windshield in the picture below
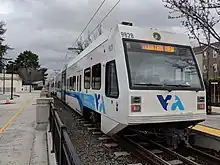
(161, 48)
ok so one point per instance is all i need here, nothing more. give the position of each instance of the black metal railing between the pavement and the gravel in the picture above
(62, 145)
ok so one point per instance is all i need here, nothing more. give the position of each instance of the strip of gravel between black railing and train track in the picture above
(89, 148)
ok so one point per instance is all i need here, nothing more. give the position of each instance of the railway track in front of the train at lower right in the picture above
(155, 153)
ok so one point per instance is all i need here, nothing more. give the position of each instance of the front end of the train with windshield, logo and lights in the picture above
(165, 85)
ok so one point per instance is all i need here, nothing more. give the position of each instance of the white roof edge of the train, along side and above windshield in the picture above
(145, 34)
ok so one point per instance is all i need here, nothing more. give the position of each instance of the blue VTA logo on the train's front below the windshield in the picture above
(173, 101)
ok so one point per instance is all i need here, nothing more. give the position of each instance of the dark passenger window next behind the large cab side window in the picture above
(96, 76)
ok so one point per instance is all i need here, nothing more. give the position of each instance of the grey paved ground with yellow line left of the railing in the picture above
(20, 143)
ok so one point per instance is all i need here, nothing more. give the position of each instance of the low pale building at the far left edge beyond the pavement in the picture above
(17, 83)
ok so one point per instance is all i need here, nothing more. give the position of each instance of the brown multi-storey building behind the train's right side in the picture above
(209, 61)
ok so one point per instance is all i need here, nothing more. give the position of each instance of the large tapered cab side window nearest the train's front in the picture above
(111, 80)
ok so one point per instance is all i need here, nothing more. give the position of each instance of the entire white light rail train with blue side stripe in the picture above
(147, 77)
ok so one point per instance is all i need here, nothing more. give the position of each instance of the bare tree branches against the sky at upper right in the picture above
(199, 17)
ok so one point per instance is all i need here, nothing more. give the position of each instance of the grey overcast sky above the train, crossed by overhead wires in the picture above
(49, 27)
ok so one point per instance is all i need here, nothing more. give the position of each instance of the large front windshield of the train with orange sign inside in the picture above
(152, 65)
